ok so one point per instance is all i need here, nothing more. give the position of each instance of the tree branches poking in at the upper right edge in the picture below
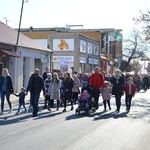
(145, 19)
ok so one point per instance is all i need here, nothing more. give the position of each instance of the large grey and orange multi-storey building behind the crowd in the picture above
(108, 40)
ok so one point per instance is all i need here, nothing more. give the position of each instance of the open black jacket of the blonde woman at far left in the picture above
(9, 84)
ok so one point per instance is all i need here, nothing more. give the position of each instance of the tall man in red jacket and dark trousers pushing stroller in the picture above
(96, 80)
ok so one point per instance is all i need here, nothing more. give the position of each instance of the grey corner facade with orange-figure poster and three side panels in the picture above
(75, 51)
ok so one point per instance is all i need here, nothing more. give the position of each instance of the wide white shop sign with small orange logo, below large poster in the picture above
(62, 58)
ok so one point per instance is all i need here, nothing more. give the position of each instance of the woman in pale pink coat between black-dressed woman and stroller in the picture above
(75, 89)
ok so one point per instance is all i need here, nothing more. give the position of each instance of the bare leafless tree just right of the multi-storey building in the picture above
(134, 48)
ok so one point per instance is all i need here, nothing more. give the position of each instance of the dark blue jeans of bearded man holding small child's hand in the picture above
(34, 102)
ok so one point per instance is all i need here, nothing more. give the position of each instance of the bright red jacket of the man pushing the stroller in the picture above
(96, 80)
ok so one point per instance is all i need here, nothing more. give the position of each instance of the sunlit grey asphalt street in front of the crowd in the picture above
(68, 131)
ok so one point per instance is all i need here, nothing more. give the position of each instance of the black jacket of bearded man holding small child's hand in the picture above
(36, 84)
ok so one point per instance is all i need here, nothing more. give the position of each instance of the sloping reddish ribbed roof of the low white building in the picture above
(9, 36)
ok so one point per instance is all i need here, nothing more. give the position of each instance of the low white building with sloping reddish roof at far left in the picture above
(21, 59)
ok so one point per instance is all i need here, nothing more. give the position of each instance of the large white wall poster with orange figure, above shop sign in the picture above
(63, 44)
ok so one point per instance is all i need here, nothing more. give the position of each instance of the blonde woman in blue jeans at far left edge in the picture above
(6, 89)
